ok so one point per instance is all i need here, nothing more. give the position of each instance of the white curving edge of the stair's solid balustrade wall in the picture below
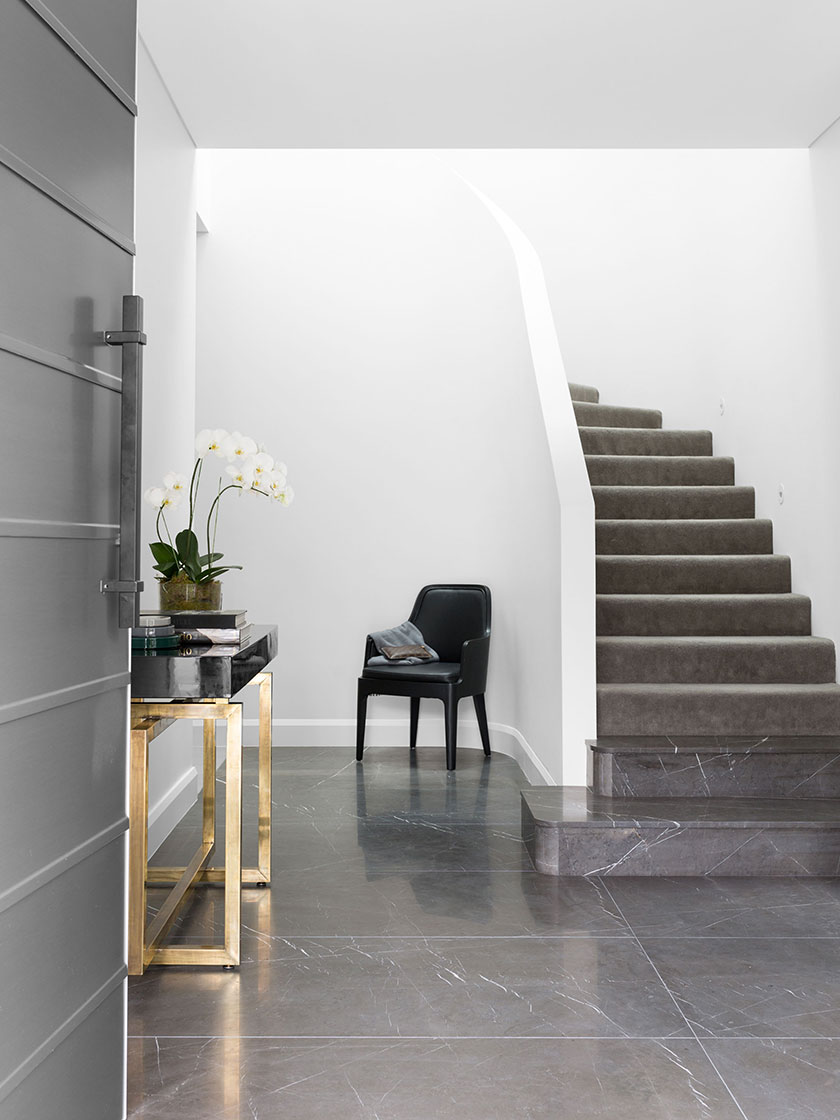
(577, 508)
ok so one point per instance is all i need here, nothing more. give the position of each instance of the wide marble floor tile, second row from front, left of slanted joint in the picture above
(418, 987)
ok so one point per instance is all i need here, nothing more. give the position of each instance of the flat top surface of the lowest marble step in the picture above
(576, 807)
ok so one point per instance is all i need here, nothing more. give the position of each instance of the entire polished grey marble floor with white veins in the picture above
(408, 964)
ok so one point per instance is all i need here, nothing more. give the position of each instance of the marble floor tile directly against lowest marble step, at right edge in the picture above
(730, 908)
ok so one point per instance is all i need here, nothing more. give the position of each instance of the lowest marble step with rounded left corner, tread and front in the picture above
(572, 832)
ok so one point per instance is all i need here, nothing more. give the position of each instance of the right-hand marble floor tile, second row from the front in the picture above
(768, 988)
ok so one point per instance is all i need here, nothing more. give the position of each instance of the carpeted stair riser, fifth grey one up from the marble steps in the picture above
(684, 538)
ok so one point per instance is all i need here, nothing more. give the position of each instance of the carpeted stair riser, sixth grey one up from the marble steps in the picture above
(674, 503)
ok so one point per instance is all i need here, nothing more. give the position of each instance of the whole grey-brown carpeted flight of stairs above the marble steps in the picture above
(698, 632)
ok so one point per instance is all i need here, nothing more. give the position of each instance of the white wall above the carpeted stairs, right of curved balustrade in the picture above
(679, 278)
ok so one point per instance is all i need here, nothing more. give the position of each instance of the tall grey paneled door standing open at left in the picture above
(67, 260)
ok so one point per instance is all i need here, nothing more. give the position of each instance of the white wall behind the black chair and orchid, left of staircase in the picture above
(361, 314)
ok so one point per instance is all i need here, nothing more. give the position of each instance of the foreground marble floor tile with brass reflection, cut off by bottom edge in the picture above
(431, 1080)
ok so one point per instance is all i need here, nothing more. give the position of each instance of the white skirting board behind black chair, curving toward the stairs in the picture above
(395, 733)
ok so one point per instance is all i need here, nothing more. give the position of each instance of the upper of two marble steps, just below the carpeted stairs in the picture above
(717, 767)
